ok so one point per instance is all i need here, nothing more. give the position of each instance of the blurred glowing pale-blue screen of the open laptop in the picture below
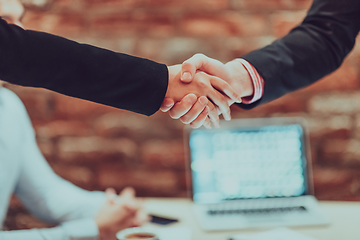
(247, 162)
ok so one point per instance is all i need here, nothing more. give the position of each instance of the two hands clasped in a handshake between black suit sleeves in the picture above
(203, 88)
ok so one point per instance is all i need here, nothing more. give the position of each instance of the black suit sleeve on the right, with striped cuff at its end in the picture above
(310, 51)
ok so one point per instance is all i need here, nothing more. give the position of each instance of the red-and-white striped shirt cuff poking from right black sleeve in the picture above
(258, 82)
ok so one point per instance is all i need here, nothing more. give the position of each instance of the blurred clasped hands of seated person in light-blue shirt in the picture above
(119, 212)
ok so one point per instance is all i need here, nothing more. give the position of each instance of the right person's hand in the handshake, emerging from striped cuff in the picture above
(232, 72)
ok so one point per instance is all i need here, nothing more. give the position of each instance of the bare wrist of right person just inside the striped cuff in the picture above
(240, 78)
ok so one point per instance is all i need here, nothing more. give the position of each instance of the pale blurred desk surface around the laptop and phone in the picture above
(344, 218)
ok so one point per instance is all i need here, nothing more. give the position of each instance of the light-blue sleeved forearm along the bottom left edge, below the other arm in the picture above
(74, 230)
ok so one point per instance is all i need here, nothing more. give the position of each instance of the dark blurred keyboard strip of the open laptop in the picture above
(281, 210)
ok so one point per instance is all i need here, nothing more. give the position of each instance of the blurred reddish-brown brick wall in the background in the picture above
(95, 146)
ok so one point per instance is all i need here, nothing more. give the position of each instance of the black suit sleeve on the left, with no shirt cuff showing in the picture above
(37, 59)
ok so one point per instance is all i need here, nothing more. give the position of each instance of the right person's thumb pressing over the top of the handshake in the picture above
(202, 62)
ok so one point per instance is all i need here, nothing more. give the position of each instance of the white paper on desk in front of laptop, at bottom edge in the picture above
(276, 234)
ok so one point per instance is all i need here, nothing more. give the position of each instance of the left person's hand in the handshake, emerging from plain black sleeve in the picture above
(215, 89)
